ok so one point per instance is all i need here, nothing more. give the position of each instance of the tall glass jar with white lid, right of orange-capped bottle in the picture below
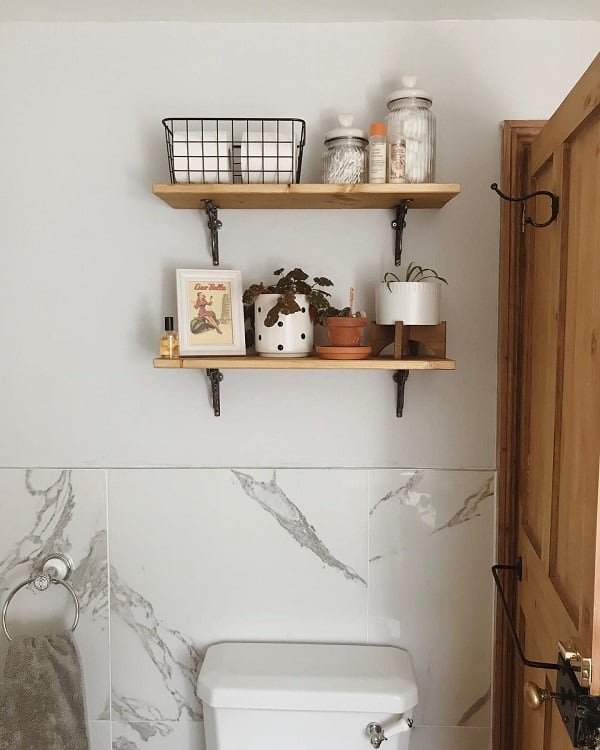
(411, 134)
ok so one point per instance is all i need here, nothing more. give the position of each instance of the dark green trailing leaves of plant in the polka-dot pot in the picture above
(287, 286)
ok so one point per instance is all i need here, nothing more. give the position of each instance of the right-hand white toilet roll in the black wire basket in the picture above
(268, 157)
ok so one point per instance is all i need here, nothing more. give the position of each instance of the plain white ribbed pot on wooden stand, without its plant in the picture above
(412, 302)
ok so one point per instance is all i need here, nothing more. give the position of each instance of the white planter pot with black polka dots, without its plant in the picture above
(291, 336)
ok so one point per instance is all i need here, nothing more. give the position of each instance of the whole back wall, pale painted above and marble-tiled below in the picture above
(295, 546)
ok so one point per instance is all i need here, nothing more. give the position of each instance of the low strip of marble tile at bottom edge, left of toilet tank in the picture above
(158, 735)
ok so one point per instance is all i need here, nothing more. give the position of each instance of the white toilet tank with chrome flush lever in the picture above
(301, 696)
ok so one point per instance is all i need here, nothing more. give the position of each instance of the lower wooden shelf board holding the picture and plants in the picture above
(251, 362)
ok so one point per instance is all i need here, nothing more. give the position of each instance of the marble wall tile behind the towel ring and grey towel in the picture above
(59, 511)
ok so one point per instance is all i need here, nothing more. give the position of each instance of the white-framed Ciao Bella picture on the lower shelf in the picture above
(210, 312)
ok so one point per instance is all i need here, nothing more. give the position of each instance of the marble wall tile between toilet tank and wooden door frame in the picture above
(430, 587)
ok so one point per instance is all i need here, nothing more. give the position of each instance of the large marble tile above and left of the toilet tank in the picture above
(200, 556)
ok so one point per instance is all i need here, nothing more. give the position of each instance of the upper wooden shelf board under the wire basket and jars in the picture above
(423, 195)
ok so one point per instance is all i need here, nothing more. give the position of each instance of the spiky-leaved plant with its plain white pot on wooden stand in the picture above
(413, 299)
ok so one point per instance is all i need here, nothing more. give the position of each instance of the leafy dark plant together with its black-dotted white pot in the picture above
(284, 312)
